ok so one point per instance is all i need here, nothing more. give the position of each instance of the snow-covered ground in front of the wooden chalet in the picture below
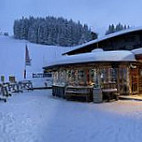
(36, 116)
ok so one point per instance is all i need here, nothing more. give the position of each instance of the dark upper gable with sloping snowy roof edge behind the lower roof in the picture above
(128, 39)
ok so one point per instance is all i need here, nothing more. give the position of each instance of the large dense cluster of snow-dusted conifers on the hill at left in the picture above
(52, 31)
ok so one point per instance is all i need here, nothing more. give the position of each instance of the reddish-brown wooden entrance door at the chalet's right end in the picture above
(134, 80)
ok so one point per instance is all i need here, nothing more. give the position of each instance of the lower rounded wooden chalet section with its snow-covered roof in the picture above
(117, 71)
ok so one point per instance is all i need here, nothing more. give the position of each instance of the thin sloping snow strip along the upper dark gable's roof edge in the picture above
(106, 37)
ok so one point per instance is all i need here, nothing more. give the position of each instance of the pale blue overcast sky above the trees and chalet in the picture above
(98, 14)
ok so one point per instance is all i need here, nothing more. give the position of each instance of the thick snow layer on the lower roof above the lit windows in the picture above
(102, 56)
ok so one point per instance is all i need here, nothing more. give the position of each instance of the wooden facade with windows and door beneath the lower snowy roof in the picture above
(126, 77)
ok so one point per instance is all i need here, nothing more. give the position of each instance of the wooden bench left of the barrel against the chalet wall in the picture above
(78, 92)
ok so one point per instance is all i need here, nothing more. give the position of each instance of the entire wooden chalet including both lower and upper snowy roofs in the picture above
(112, 72)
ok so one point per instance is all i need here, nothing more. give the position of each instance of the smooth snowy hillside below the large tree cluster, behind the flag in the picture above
(12, 56)
